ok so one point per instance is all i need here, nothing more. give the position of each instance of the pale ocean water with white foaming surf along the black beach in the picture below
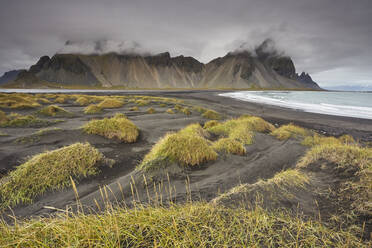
(350, 104)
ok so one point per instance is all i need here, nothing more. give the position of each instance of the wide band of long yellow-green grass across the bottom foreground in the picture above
(189, 225)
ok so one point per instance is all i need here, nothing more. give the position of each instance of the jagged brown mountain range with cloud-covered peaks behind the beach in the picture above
(239, 69)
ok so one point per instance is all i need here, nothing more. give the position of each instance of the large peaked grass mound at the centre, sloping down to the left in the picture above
(187, 147)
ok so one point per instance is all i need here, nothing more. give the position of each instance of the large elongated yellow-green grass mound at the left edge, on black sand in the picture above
(49, 171)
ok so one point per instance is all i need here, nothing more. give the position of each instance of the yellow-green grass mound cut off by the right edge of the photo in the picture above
(352, 164)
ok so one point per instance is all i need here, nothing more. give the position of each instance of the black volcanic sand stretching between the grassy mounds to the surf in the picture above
(264, 158)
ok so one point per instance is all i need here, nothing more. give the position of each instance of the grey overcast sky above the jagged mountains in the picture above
(330, 39)
